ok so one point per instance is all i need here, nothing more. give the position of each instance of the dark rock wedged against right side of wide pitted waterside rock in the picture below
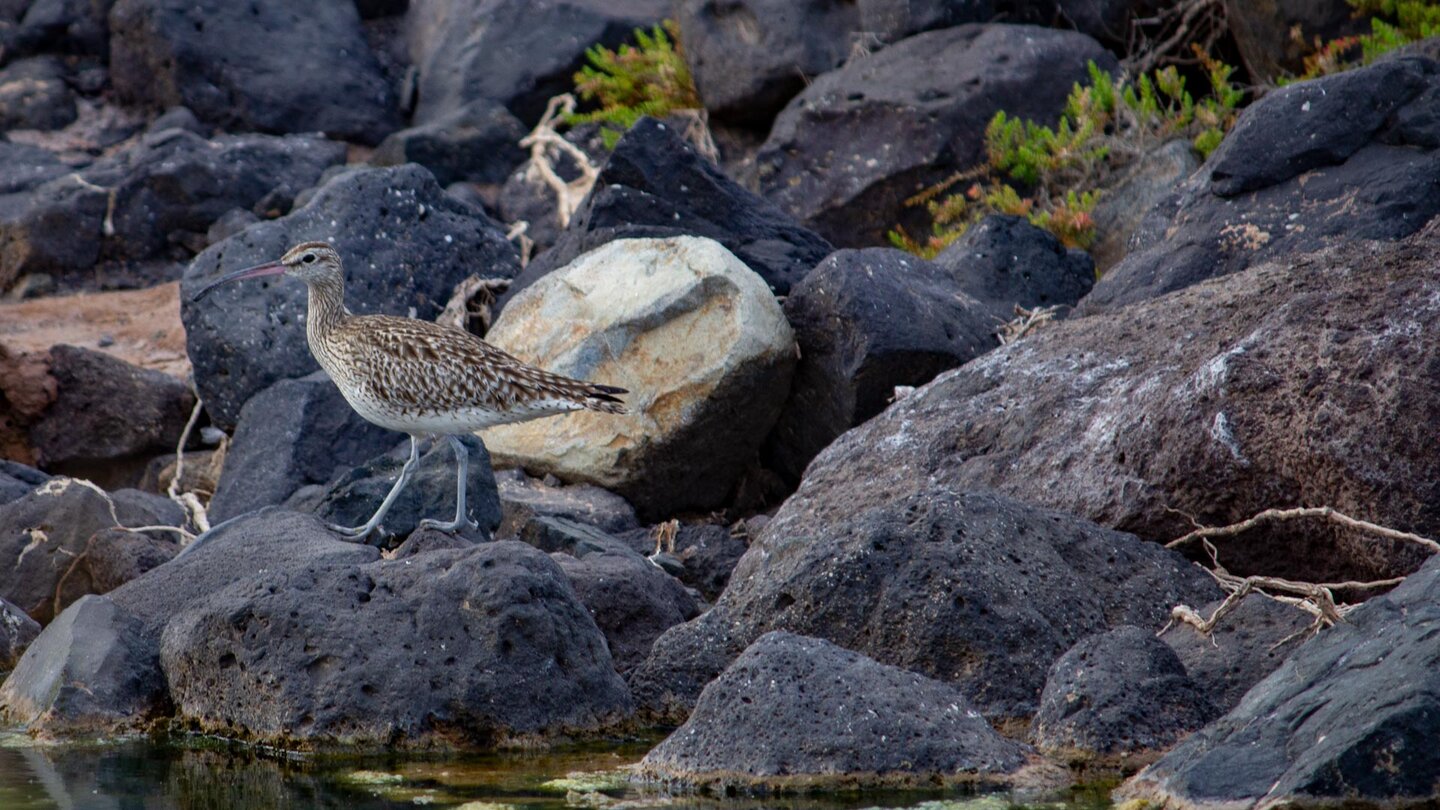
(631, 600)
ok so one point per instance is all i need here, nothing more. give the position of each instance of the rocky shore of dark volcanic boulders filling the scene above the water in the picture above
(852, 533)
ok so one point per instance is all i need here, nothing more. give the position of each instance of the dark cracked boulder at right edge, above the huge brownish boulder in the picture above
(1351, 156)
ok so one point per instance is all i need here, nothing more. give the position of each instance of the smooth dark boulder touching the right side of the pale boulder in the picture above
(868, 322)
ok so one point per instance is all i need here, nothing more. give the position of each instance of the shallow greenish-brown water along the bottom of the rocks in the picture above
(199, 775)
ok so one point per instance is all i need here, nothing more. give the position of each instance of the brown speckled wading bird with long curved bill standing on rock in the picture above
(417, 377)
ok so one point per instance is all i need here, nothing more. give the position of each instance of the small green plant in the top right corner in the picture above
(1395, 24)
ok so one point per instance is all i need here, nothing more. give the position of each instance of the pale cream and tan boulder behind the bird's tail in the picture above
(695, 337)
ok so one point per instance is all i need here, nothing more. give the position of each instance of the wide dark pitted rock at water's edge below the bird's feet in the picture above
(470, 648)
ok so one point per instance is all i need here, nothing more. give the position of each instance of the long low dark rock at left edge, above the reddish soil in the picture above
(156, 198)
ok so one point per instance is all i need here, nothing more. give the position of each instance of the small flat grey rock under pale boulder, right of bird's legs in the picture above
(523, 499)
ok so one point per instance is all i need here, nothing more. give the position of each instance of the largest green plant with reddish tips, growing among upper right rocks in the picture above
(1055, 177)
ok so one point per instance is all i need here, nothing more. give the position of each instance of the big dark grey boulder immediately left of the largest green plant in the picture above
(847, 152)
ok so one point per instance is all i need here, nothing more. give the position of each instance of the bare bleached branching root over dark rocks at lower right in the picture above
(1315, 599)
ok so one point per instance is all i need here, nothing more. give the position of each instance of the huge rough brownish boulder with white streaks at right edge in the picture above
(1292, 384)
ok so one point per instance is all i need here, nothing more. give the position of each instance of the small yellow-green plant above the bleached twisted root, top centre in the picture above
(647, 79)
